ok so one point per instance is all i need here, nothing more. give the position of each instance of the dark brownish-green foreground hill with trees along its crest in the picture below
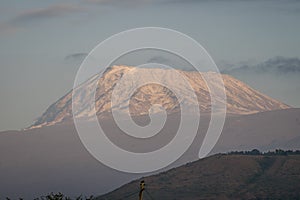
(222, 177)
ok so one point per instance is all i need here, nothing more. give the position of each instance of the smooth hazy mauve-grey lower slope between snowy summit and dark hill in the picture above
(52, 158)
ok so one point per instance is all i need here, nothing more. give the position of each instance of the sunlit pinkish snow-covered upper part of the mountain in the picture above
(241, 99)
